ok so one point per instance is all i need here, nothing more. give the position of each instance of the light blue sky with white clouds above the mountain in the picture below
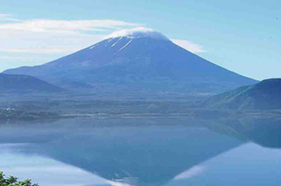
(241, 35)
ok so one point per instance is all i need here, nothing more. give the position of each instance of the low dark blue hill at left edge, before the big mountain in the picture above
(24, 84)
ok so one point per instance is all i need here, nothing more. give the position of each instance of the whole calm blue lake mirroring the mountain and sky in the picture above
(144, 152)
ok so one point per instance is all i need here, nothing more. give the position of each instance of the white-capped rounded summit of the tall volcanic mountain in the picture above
(138, 32)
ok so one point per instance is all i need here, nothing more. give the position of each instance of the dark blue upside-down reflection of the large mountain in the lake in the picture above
(137, 155)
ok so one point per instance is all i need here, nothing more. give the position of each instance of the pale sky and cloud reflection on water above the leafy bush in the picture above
(43, 170)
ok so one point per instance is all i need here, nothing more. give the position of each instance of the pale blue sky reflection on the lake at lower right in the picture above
(249, 165)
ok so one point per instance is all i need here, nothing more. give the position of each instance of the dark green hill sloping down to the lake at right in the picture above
(262, 96)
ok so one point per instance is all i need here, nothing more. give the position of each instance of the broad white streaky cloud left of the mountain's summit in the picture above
(44, 36)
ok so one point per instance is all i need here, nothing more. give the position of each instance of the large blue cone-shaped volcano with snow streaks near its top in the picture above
(136, 60)
